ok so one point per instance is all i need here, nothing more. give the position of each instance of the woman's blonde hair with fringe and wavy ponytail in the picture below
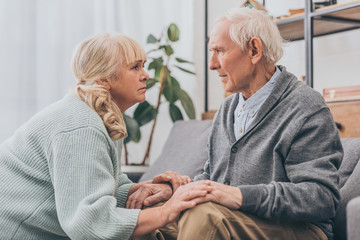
(98, 58)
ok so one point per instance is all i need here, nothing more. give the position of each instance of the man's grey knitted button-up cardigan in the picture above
(286, 163)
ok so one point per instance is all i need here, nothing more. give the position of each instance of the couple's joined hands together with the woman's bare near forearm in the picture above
(180, 194)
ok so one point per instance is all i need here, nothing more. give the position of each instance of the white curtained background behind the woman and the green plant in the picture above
(37, 39)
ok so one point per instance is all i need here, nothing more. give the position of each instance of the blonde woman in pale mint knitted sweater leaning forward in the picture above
(60, 172)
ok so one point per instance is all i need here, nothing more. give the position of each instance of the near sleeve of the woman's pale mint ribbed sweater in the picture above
(83, 176)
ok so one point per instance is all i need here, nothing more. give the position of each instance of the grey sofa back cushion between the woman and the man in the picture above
(185, 150)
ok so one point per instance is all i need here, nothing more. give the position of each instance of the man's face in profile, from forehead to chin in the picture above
(234, 66)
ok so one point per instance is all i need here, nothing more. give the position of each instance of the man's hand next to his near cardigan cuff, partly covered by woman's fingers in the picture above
(228, 196)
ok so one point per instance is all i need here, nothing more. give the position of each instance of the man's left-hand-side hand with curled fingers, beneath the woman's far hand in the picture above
(148, 194)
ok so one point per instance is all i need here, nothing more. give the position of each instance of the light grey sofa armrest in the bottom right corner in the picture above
(353, 218)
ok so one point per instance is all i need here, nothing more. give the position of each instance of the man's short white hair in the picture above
(248, 23)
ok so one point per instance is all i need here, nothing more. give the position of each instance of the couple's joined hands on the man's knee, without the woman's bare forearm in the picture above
(166, 185)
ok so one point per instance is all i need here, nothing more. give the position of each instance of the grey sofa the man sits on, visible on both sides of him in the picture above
(185, 152)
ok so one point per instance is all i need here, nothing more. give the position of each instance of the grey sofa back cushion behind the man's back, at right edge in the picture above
(349, 172)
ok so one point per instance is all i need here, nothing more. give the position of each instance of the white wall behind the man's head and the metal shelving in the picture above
(336, 57)
